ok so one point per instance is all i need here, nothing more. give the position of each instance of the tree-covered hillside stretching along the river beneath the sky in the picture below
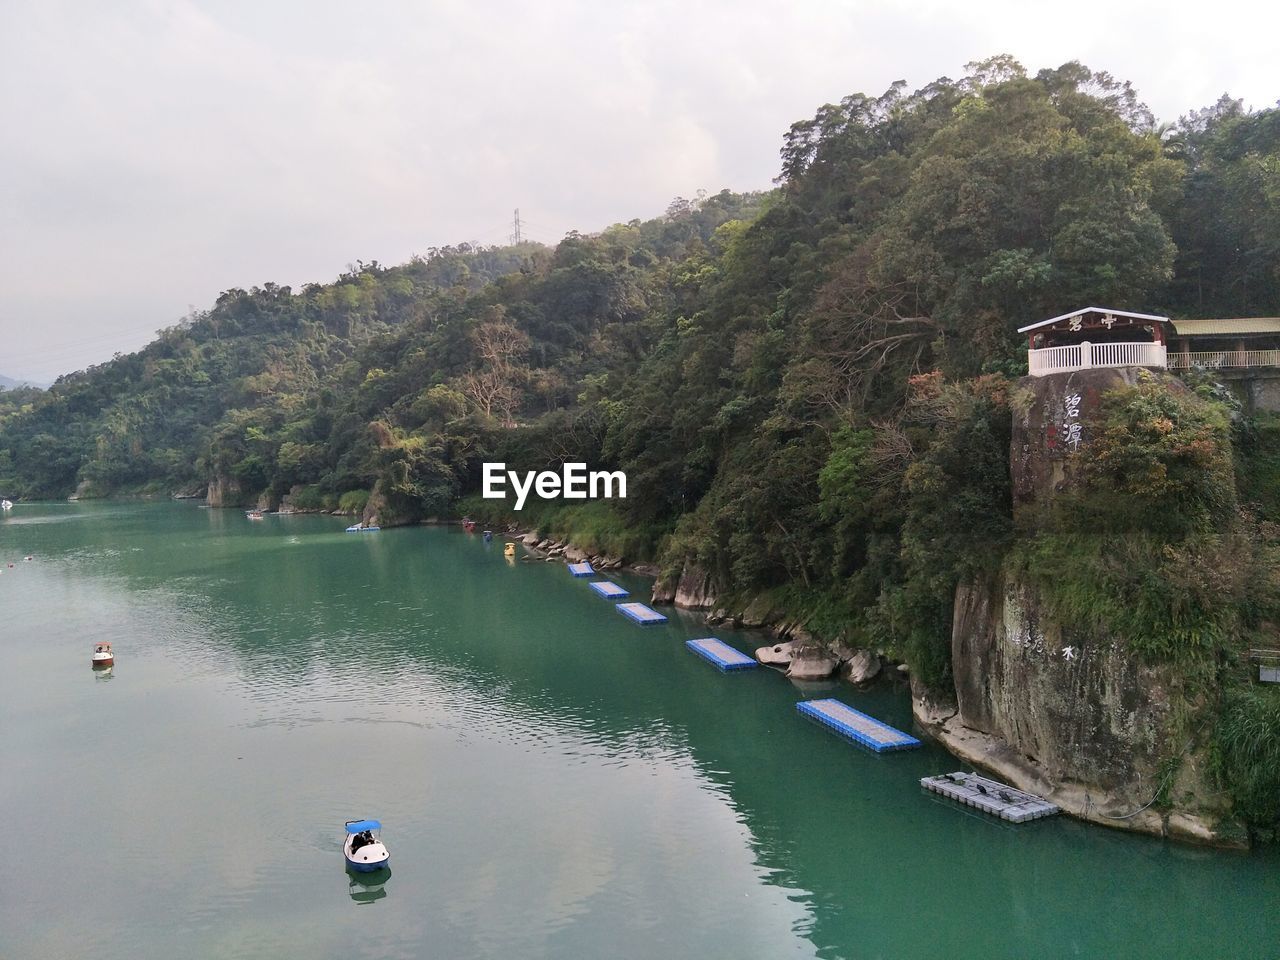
(808, 388)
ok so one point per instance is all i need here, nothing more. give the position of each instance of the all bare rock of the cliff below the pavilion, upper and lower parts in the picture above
(1062, 710)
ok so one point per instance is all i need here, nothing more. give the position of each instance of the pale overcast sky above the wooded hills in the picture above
(156, 153)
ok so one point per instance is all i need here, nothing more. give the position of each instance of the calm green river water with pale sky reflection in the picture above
(555, 781)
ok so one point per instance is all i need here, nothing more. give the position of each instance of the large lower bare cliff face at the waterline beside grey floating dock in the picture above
(1069, 715)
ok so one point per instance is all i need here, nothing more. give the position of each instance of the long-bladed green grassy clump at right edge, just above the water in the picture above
(1247, 755)
